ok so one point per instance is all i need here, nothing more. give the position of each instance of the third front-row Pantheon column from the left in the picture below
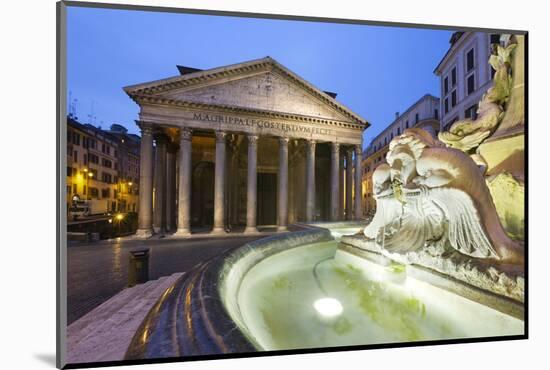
(219, 184)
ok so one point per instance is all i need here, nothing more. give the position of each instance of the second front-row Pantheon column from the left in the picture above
(184, 196)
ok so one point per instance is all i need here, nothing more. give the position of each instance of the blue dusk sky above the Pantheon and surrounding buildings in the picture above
(375, 70)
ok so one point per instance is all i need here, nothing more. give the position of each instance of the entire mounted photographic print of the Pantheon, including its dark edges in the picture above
(237, 184)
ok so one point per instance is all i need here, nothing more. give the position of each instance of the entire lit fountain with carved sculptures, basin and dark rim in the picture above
(442, 259)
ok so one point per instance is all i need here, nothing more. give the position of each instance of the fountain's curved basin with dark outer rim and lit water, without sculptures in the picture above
(302, 290)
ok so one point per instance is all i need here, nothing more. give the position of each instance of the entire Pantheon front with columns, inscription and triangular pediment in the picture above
(244, 145)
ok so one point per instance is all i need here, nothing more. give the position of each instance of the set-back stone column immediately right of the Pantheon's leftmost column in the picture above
(159, 215)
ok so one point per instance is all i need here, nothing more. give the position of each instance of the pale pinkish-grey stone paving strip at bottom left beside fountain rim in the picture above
(105, 334)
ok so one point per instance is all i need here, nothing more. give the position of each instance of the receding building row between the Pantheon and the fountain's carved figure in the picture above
(423, 114)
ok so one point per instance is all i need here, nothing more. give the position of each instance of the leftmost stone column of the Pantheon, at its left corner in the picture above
(145, 212)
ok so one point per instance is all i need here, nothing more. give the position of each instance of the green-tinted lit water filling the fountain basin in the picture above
(380, 304)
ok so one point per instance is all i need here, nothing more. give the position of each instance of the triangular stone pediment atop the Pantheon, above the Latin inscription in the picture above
(262, 85)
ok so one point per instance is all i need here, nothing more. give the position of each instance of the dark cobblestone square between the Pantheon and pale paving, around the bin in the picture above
(98, 271)
